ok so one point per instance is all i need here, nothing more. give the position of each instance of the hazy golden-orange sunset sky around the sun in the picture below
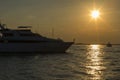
(69, 18)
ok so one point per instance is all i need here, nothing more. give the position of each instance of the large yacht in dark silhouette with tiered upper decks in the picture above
(24, 40)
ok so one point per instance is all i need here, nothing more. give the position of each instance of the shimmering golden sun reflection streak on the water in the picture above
(94, 62)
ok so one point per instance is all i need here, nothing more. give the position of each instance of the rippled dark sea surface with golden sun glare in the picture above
(81, 62)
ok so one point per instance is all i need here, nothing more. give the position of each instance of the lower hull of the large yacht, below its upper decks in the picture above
(41, 47)
